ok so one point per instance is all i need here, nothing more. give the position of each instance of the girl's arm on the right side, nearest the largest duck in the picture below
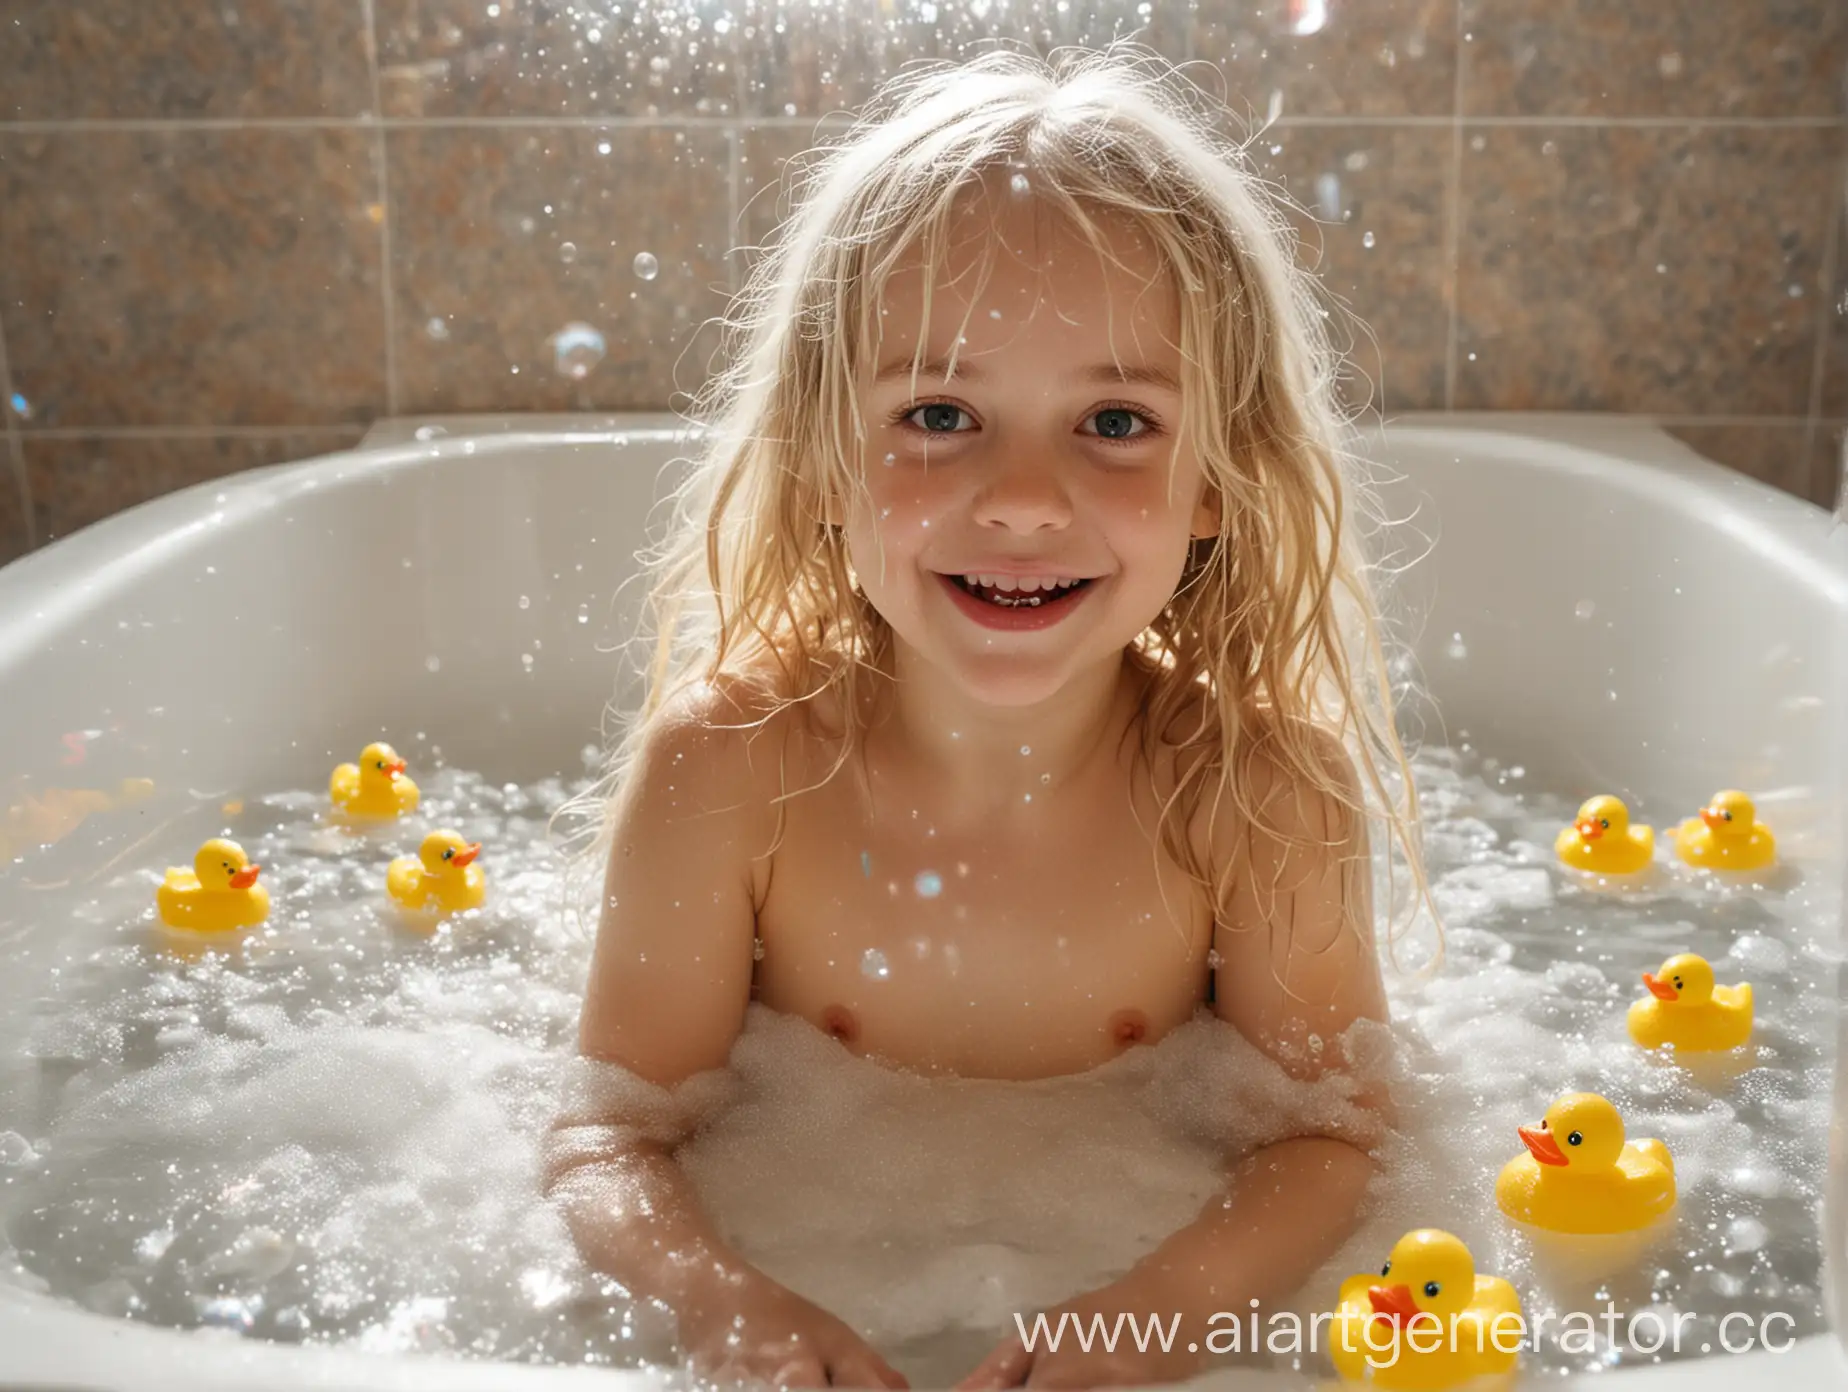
(1296, 971)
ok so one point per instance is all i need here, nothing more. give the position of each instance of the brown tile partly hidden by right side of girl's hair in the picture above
(1372, 217)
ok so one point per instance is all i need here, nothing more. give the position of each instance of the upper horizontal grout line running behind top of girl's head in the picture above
(812, 121)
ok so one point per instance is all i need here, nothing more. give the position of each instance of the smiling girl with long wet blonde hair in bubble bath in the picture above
(1017, 565)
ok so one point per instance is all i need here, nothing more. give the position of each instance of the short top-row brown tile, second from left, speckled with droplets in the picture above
(548, 58)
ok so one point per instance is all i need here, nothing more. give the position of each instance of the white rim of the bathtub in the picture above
(56, 1345)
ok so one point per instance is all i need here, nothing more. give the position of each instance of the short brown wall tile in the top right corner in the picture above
(1655, 58)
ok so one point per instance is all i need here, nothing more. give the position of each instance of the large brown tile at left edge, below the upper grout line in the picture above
(193, 276)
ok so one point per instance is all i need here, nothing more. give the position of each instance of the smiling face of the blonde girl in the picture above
(1027, 519)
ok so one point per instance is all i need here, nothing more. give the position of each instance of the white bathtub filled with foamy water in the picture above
(237, 635)
